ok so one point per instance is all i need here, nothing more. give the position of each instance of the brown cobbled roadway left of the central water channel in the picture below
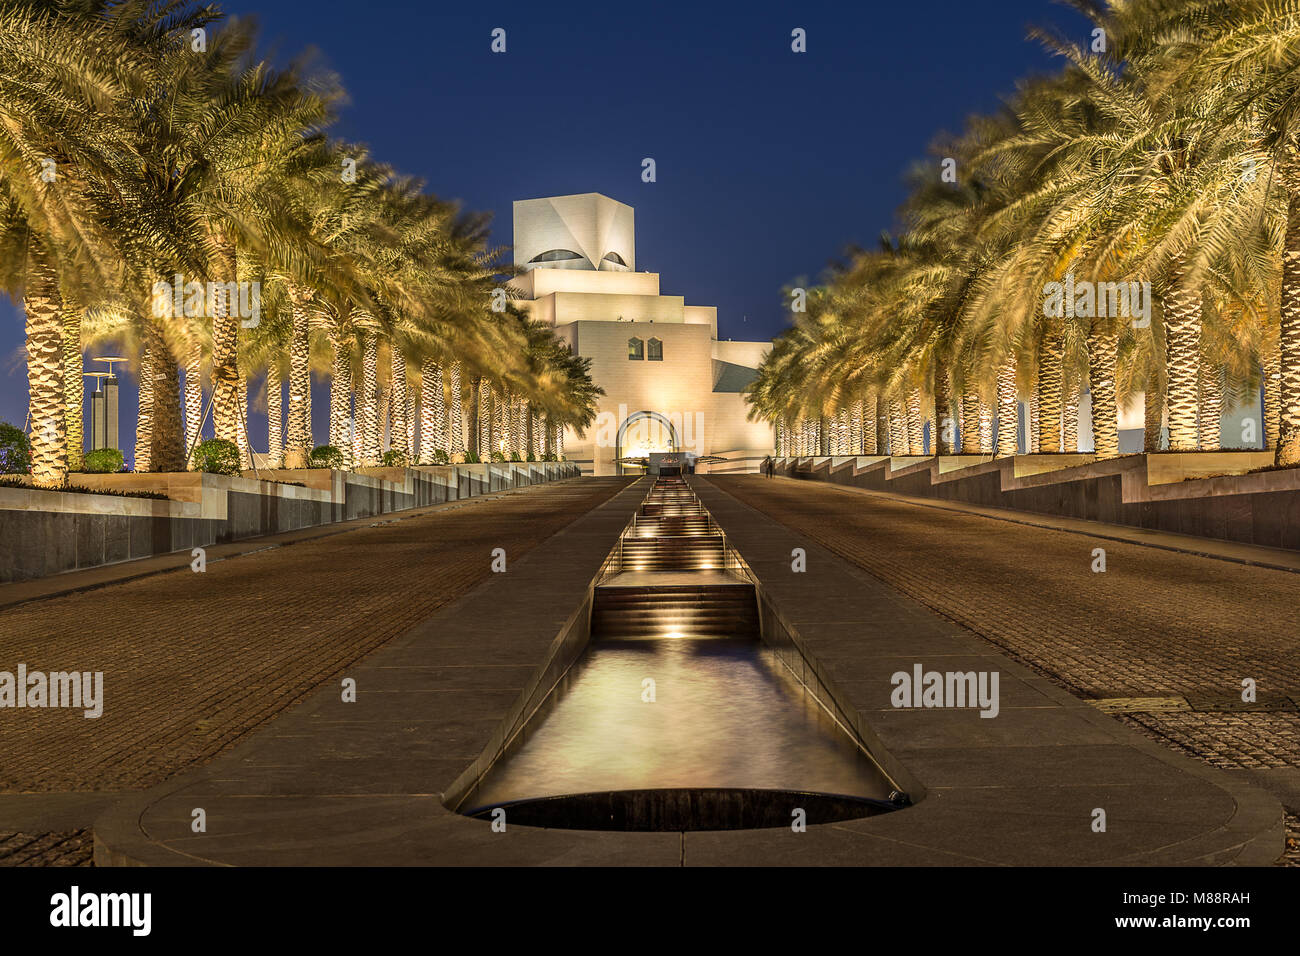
(193, 663)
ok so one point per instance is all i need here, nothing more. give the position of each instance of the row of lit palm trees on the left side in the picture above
(145, 145)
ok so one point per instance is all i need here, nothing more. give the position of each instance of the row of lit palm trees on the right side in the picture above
(1164, 157)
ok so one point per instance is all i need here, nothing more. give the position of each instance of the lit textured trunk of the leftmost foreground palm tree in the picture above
(46, 404)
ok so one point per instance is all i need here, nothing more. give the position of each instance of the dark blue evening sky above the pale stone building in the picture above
(769, 163)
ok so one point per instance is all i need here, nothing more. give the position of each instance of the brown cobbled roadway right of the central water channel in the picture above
(1163, 637)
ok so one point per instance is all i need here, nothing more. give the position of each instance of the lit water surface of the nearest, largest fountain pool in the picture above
(726, 715)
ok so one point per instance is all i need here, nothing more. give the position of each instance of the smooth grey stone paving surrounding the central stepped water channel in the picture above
(335, 784)
